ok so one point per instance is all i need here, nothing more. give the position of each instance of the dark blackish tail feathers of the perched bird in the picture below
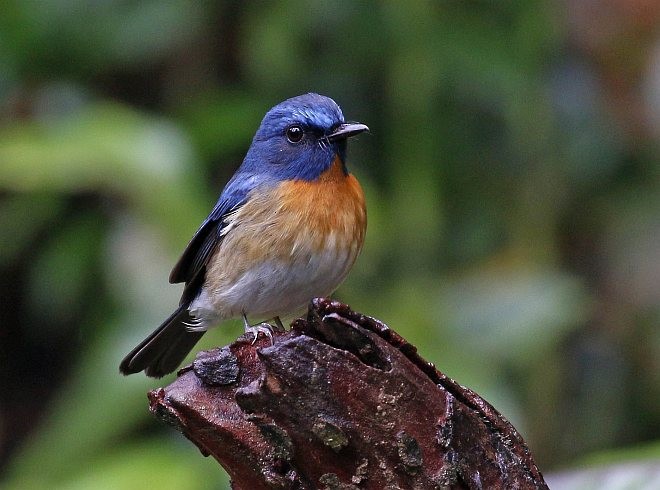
(164, 350)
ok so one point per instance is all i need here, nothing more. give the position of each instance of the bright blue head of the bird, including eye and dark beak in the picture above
(300, 139)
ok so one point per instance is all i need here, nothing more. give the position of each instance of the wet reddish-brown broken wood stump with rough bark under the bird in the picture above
(341, 402)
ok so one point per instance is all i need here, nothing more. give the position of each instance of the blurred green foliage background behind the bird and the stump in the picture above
(513, 186)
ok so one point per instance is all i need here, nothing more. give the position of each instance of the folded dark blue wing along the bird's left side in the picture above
(193, 261)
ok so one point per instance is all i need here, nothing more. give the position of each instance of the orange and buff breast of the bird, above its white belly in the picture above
(292, 222)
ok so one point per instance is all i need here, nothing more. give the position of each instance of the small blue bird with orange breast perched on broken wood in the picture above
(287, 227)
